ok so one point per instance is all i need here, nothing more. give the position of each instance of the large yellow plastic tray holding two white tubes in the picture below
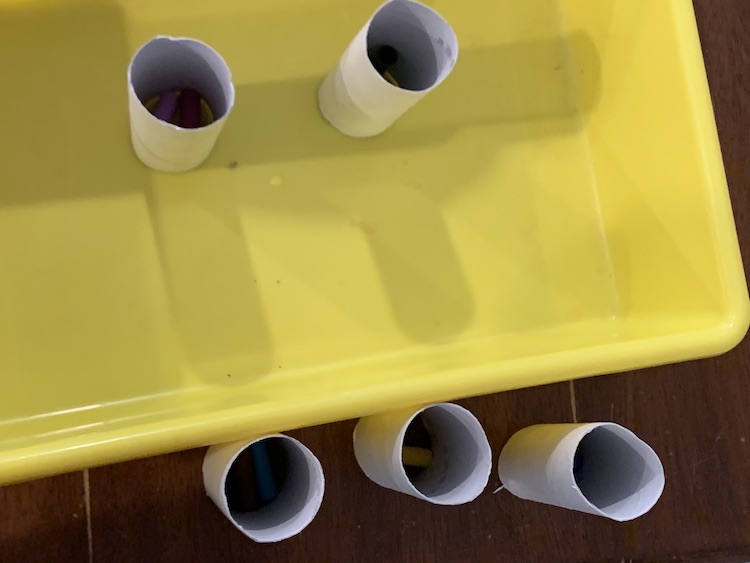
(557, 208)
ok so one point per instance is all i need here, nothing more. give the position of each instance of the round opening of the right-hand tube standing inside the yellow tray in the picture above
(403, 28)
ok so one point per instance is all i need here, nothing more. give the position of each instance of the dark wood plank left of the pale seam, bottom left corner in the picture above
(44, 520)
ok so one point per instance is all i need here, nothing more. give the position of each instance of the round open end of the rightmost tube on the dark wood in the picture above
(618, 476)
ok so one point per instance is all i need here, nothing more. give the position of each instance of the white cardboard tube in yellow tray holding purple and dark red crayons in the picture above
(161, 67)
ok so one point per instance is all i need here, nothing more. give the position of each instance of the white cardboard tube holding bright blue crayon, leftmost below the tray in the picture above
(286, 505)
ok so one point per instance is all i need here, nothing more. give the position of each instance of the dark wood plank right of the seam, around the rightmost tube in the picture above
(692, 416)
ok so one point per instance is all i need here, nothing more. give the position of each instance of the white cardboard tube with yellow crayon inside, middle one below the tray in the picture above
(459, 465)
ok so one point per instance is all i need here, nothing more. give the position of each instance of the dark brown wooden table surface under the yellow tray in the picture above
(694, 414)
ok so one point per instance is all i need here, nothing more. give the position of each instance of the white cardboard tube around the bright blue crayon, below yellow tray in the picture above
(299, 495)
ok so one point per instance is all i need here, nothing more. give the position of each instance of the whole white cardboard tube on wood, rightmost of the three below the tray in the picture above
(600, 468)
